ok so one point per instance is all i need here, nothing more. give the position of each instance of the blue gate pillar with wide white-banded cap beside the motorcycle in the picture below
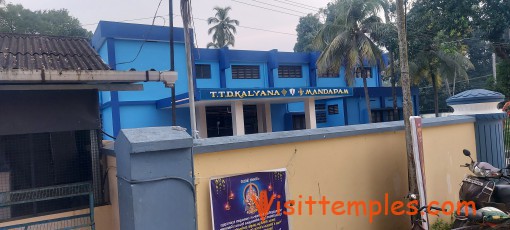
(482, 104)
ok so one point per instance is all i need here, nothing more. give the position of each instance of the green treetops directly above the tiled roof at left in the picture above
(16, 19)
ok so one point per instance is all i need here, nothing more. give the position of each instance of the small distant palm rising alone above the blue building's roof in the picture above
(224, 28)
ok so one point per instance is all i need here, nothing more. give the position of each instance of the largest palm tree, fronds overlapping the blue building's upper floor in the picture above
(346, 42)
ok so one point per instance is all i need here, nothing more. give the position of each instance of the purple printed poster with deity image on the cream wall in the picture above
(237, 202)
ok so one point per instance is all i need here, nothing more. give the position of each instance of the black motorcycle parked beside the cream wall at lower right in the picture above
(489, 190)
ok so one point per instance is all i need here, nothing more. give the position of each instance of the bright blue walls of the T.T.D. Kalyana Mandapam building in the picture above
(119, 45)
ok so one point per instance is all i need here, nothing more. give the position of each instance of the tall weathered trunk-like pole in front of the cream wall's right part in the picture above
(406, 92)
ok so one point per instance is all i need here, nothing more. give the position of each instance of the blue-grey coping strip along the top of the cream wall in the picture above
(218, 144)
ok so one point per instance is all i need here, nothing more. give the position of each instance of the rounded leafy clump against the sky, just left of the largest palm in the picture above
(307, 30)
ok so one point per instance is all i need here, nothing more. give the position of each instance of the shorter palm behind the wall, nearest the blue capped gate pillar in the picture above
(435, 65)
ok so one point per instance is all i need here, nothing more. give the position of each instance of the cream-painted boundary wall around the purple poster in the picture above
(352, 168)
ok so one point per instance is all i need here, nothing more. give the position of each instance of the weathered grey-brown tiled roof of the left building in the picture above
(34, 52)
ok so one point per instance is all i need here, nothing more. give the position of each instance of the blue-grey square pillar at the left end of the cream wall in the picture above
(155, 182)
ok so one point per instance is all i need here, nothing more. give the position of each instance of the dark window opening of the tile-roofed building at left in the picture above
(31, 161)
